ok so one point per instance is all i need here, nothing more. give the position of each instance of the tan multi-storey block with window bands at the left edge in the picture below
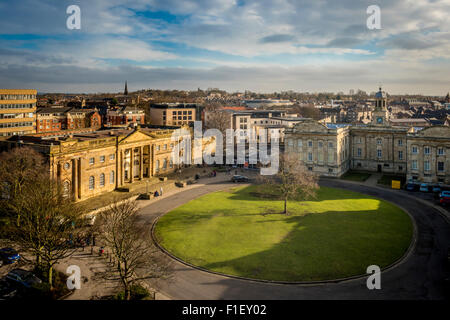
(17, 112)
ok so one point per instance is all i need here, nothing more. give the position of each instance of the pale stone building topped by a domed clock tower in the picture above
(421, 154)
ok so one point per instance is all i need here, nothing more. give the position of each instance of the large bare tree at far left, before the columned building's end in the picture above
(49, 223)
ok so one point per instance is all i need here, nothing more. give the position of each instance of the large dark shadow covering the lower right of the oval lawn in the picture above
(316, 250)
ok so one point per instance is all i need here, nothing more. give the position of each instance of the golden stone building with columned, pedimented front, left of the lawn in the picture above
(93, 163)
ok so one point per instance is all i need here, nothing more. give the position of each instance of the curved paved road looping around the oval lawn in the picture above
(418, 277)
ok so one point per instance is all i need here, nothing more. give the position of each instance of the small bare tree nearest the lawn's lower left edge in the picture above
(130, 245)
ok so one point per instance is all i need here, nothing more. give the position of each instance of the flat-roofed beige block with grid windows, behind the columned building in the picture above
(172, 114)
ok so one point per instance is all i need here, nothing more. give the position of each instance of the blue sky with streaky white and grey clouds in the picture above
(235, 45)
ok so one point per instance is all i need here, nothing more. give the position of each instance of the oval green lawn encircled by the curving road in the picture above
(241, 233)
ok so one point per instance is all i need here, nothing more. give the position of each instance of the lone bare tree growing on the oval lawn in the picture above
(293, 180)
